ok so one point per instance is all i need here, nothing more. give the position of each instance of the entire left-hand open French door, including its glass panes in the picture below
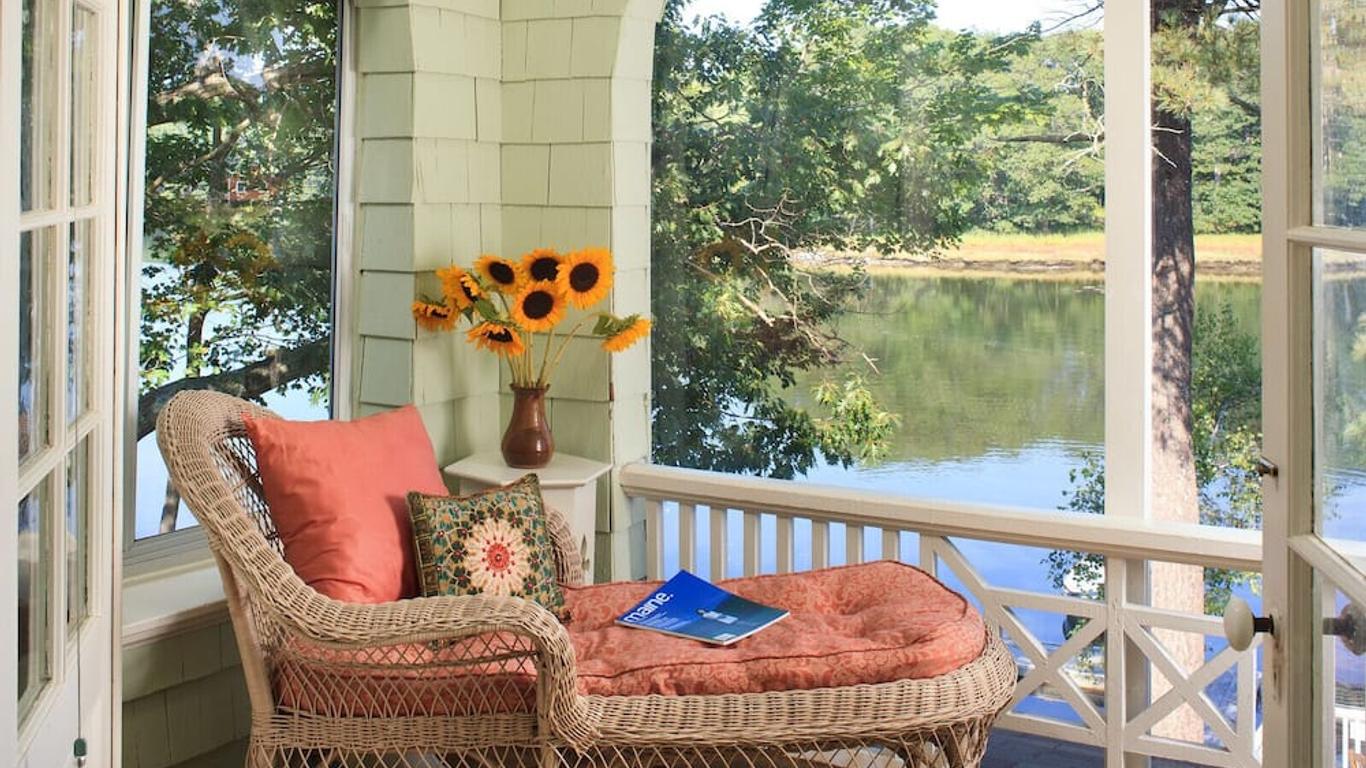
(58, 139)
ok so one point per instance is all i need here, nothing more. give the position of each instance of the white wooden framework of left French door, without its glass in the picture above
(46, 737)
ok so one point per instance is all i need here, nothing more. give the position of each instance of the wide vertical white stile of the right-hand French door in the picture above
(1287, 387)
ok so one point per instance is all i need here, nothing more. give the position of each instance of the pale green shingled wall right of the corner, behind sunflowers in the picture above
(577, 173)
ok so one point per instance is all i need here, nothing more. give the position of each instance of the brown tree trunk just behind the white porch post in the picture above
(1175, 493)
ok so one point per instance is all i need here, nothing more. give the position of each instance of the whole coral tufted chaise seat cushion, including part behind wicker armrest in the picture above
(871, 624)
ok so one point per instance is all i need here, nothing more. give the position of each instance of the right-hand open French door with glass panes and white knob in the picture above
(1315, 381)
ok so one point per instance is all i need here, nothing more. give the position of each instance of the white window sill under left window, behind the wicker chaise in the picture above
(173, 602)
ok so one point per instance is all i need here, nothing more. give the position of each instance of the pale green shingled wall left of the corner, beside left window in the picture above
(428, 195)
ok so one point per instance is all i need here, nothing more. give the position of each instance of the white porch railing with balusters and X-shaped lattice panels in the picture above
(1113, 703)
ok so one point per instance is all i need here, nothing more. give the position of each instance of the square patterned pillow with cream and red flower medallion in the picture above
(495, 542)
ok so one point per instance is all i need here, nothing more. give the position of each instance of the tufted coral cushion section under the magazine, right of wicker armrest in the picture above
(869, 624)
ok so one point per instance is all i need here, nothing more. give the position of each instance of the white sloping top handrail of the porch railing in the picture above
(1118, 536)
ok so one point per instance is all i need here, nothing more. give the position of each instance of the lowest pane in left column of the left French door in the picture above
(35, 569)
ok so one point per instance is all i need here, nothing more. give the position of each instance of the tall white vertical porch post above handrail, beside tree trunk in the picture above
(1129, 277)
